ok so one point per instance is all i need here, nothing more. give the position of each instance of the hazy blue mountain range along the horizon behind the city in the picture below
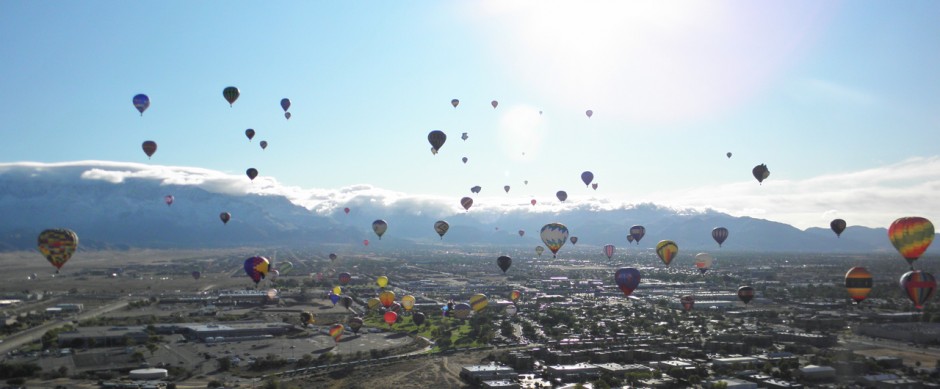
(113, 205)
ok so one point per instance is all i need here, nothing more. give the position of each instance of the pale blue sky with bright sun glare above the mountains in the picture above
(822, 92)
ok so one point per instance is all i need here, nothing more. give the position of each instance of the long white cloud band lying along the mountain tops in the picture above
(872, 197)
